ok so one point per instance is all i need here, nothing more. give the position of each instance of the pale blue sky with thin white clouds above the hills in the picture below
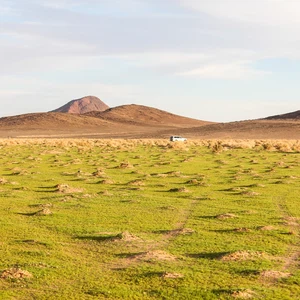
(214, 60)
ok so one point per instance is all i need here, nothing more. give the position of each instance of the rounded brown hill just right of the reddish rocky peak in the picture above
(145, 116)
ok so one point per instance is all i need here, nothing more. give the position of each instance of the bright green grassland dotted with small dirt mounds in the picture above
(149, 219)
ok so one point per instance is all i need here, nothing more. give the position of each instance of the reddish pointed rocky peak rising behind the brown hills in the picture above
(83, 105)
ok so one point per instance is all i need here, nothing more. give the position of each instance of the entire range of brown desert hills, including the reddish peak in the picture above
(138, 121)
